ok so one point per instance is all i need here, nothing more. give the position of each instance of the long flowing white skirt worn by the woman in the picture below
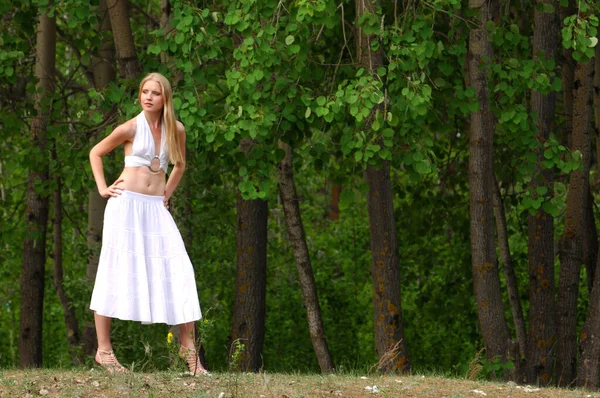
(144, 273)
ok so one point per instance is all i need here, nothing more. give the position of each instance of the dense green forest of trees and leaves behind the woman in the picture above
(398, 183)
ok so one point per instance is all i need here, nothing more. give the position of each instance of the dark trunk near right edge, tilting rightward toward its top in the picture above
(572, 244)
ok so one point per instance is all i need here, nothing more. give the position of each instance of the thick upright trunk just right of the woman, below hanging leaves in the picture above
(248, 324)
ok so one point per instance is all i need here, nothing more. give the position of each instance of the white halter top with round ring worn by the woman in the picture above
(143, 150)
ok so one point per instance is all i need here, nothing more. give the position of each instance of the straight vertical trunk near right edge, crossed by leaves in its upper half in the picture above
(542, 316)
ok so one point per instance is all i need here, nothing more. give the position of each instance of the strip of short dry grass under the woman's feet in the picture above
(98, 383)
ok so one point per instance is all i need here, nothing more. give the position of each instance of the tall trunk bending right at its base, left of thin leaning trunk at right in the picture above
(486, 280)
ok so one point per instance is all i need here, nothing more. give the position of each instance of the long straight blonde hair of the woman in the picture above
(169, 118)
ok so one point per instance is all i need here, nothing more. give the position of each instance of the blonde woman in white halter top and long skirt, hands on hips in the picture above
(144, 273)
